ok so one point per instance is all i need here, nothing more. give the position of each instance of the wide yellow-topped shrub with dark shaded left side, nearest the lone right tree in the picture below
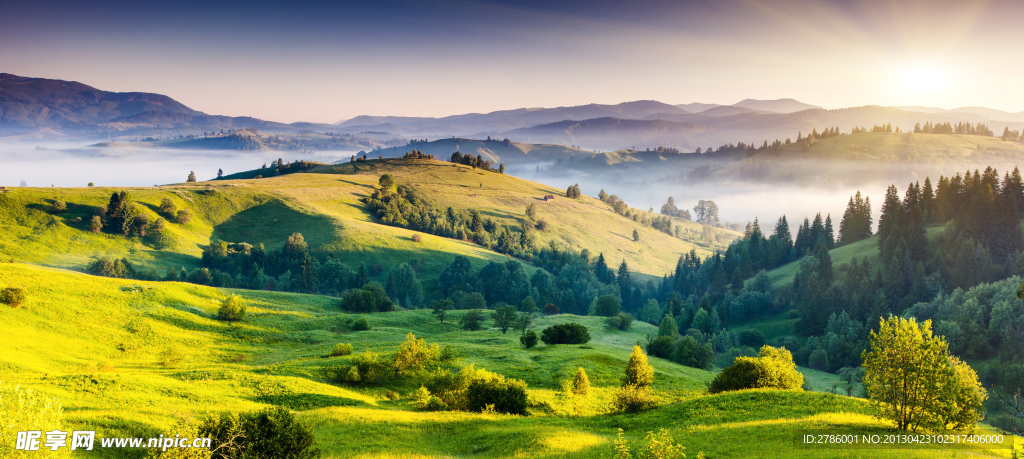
(774, 368)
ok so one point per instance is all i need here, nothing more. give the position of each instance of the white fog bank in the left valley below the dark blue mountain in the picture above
(77, 165)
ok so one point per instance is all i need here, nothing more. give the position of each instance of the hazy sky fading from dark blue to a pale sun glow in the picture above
(327, 62)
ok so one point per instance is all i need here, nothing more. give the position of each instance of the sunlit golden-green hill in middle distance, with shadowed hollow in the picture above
(327, 208)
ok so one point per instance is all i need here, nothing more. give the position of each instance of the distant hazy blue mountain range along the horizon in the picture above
(72, 109)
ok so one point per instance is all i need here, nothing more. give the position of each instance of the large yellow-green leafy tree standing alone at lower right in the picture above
(915, 383)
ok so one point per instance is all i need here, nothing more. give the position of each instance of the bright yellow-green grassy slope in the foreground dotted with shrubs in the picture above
(146, 351)
